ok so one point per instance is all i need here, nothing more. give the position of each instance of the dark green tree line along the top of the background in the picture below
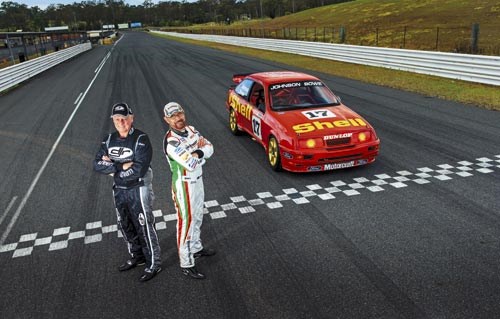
(91, 15)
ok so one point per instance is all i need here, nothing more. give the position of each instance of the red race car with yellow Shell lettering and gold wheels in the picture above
(302, 125)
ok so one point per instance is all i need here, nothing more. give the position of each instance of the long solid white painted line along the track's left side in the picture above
(44, 165)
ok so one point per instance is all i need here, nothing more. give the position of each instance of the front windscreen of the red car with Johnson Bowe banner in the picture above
(300, 94)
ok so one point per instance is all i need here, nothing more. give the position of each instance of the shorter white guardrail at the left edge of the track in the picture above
(15, 74)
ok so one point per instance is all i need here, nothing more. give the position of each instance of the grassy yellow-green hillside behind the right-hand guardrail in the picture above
(443, 25)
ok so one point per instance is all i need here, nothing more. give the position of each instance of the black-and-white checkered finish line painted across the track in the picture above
(95, 231)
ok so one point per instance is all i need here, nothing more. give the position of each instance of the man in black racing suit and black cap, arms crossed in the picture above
(126, 155)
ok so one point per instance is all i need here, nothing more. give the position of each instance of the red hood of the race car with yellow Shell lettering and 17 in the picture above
(321, 121)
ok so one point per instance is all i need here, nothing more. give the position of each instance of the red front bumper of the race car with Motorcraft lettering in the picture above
(324, 160)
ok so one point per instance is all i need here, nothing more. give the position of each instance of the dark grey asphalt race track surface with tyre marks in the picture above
(413, 235)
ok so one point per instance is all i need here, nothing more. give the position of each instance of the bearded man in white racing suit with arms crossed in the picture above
(186, 151)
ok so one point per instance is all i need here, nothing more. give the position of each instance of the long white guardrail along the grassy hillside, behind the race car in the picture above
(466, 67)
